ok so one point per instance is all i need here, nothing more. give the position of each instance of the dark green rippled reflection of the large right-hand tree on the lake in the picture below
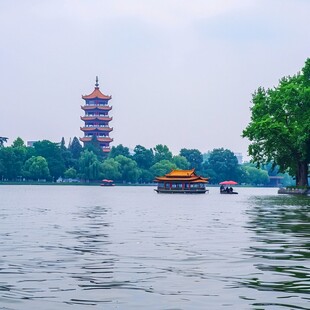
(281, 249)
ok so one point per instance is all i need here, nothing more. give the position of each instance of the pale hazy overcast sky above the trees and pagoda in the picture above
(181, 73)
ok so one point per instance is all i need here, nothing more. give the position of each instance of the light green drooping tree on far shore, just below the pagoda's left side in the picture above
(90, 167)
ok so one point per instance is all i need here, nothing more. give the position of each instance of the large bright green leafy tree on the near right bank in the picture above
(279, 129)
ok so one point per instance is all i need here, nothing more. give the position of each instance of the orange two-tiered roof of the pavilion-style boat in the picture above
(182, 176)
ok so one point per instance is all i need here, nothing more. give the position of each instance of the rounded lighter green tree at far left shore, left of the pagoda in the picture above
(36, 168)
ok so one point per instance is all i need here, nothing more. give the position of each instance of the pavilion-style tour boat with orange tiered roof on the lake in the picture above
(181, 182)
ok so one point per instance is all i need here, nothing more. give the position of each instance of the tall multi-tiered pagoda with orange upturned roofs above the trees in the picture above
(97, 118)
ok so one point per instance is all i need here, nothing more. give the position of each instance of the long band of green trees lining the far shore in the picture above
(50, 161)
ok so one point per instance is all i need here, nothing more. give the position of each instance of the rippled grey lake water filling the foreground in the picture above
(83, 247)
